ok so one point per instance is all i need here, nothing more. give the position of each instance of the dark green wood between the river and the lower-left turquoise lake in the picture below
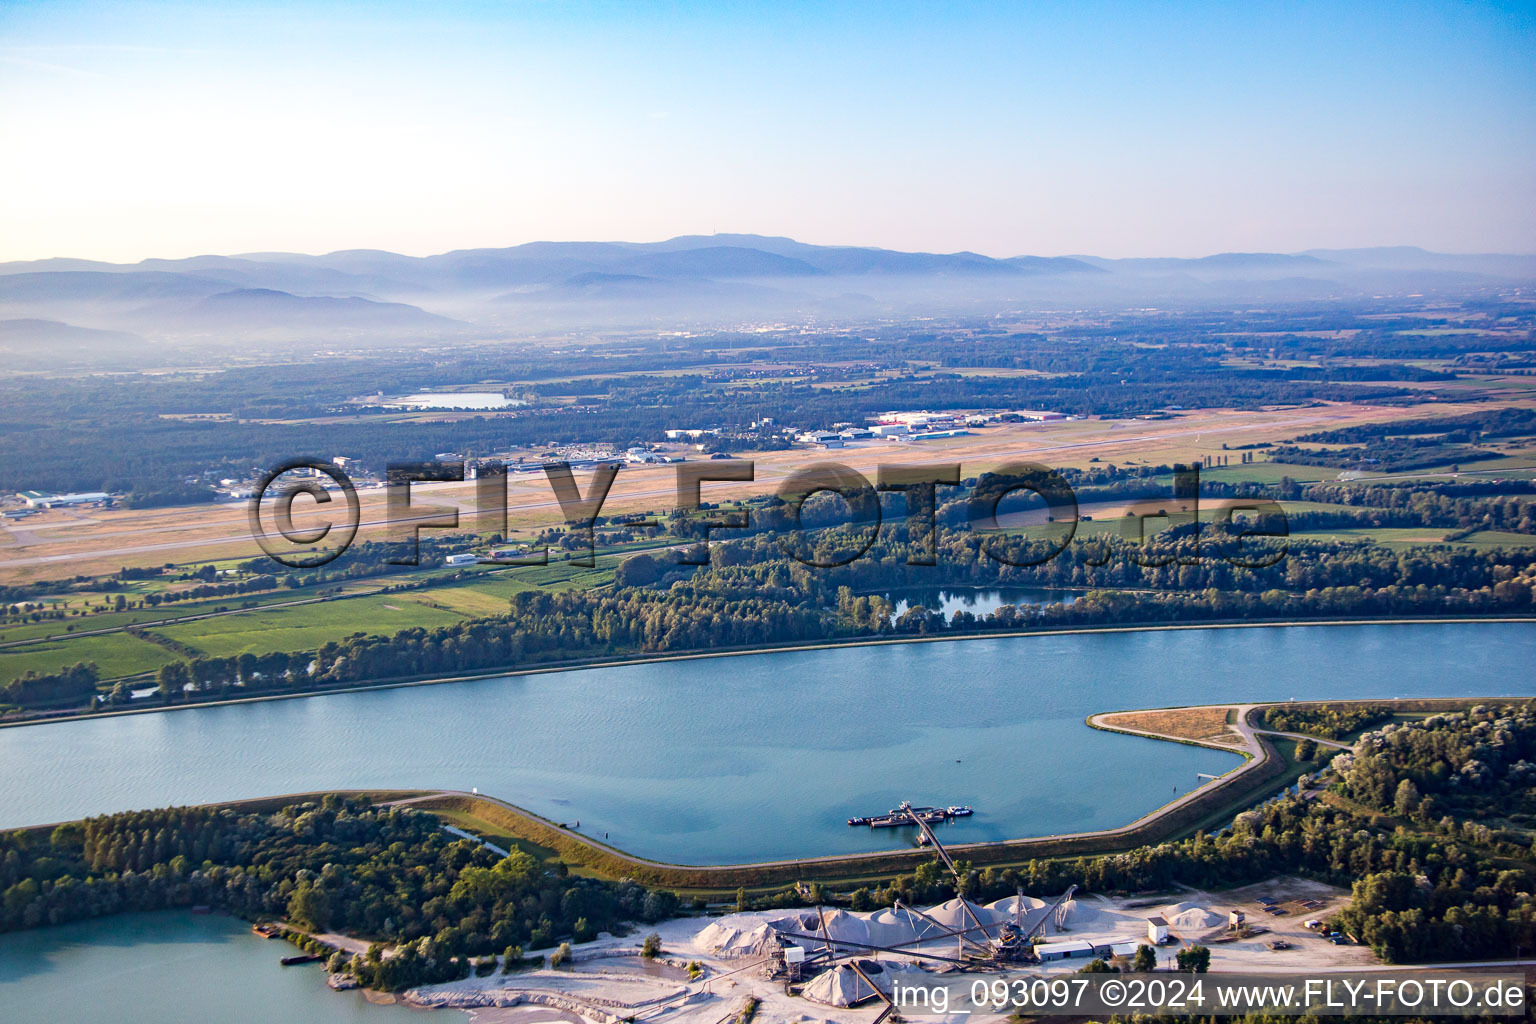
(340, 864)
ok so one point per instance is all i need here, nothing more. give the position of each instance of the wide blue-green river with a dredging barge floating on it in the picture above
(767, 756)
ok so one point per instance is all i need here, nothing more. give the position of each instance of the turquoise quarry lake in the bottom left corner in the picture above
(174, 969)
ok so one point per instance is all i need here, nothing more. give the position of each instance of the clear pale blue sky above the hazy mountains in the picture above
(1117, 130)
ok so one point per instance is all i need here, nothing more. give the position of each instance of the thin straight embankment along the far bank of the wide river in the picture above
(787, 649)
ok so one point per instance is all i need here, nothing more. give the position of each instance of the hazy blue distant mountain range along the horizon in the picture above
(697, 280)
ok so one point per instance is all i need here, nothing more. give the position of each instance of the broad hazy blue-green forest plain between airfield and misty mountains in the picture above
(164, 437)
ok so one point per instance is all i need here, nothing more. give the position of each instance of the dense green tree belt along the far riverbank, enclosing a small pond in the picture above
(753, 595)
